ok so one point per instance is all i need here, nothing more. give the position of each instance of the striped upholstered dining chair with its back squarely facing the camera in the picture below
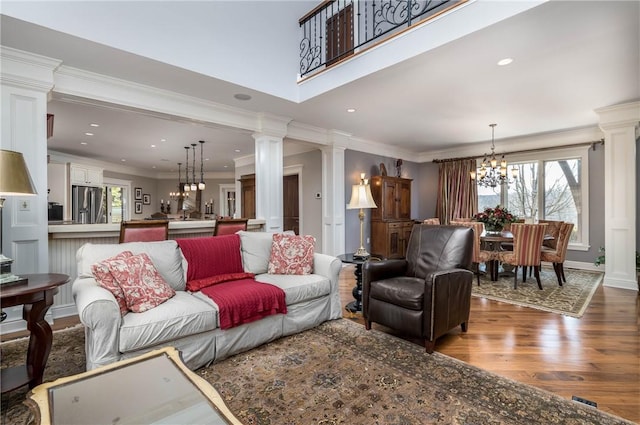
(527, 247)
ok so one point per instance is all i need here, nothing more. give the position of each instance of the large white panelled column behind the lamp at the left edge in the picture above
(25, 80)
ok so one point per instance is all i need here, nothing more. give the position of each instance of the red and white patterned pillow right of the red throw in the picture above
(291, 254)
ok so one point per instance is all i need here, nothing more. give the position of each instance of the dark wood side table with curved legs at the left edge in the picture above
(37, 296)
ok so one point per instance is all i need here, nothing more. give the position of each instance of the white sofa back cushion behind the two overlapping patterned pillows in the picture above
(165, 255)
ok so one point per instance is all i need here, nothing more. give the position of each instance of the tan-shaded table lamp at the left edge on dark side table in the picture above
(14, 181)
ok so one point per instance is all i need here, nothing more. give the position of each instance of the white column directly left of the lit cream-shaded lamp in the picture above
(334, 204)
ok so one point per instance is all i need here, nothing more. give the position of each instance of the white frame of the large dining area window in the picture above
(578, 152)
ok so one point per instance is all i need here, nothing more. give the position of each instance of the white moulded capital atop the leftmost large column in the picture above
(27, 70)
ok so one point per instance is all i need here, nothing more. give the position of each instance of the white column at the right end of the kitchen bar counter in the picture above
(269, 171)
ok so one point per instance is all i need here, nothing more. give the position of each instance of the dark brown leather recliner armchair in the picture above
(428, 293)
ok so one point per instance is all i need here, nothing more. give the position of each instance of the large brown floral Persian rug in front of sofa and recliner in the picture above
(339, 373)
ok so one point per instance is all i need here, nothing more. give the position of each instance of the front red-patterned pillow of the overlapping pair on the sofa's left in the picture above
(142, 285)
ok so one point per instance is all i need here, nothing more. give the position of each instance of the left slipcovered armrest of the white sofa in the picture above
(99, 313)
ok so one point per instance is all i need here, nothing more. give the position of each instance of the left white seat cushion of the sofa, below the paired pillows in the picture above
(180, 316)
